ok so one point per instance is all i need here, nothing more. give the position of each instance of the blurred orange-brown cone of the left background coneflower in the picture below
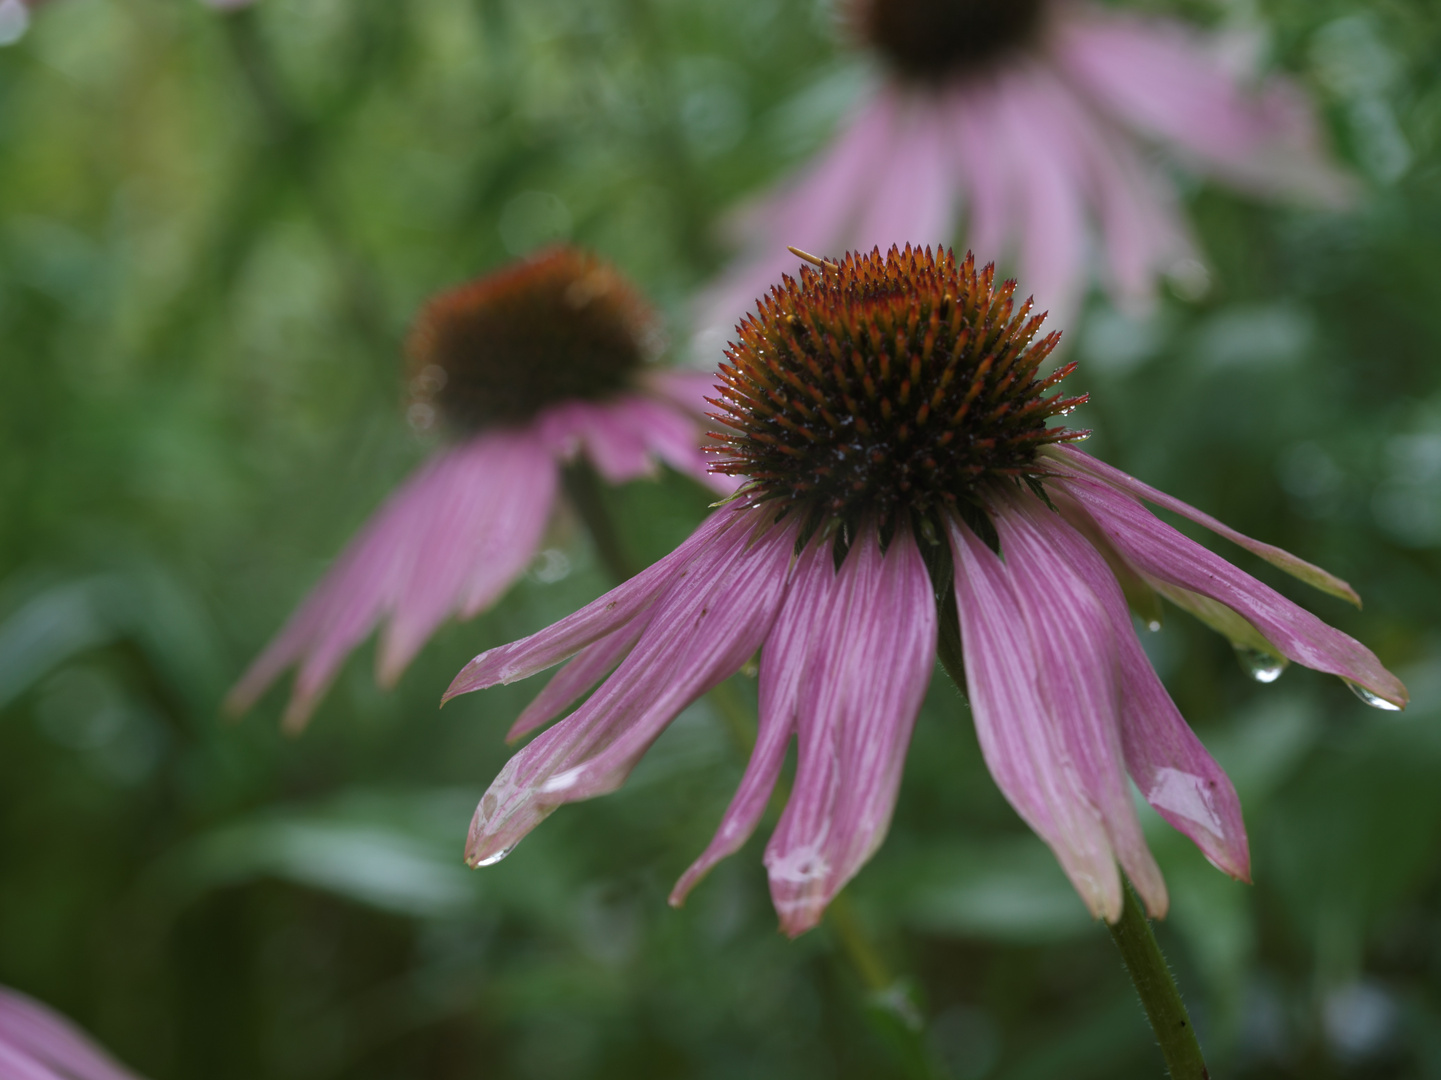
(558, 327)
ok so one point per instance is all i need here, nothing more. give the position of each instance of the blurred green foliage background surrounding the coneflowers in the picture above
(214, 231)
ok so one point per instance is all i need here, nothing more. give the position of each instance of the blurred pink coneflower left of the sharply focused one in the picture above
(527, 370)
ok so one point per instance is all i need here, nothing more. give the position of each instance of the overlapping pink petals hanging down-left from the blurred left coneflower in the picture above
(452, 539)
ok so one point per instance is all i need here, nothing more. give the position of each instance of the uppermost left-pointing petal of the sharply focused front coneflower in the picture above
(602, 616)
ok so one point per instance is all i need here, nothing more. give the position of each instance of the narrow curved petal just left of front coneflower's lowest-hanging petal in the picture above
(785, 661)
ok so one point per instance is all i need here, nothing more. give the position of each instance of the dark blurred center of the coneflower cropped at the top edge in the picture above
(933, 40)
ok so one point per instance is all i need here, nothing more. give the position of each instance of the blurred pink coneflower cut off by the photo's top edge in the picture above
(1034, 120)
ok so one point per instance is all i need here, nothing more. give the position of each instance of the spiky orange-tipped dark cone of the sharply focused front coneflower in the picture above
(891, 386)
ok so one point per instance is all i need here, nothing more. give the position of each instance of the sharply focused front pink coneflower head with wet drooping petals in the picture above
(893, 429)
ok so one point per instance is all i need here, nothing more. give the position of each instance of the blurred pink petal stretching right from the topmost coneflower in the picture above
(1161, 77)
